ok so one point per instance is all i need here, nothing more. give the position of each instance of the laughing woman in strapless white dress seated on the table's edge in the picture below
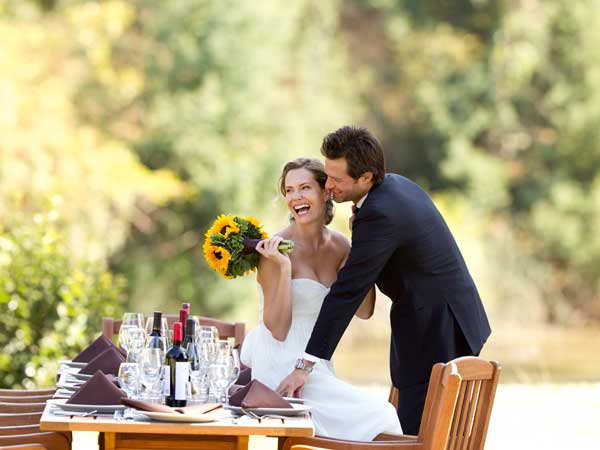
(291, 291)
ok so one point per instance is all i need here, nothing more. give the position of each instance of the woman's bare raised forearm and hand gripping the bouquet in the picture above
(274, 276)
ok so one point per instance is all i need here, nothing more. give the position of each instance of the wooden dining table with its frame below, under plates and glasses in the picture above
(226, 433)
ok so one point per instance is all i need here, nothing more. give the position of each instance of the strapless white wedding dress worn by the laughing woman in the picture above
(339, 410)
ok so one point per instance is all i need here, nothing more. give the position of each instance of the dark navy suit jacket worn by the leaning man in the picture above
(401, 243)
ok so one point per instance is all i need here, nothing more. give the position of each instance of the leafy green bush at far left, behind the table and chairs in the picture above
(51, 306)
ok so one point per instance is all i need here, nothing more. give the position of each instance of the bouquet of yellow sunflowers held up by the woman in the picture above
(230, 245)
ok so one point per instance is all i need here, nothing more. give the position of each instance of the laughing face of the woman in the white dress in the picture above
(305, 198)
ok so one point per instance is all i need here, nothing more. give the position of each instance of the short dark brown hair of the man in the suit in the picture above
(361, 149)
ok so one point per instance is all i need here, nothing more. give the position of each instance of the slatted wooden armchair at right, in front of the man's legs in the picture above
(456, 414)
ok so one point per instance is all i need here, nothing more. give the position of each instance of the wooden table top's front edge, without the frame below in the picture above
(226, 426)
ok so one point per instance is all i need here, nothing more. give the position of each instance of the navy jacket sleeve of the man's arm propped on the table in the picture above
(374, 240)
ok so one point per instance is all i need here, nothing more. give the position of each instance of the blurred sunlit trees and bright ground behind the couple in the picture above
(127, 126)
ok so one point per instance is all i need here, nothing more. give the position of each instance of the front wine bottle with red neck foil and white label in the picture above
(179, 369)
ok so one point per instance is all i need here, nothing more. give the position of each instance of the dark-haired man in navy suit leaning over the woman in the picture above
(401, 243)
